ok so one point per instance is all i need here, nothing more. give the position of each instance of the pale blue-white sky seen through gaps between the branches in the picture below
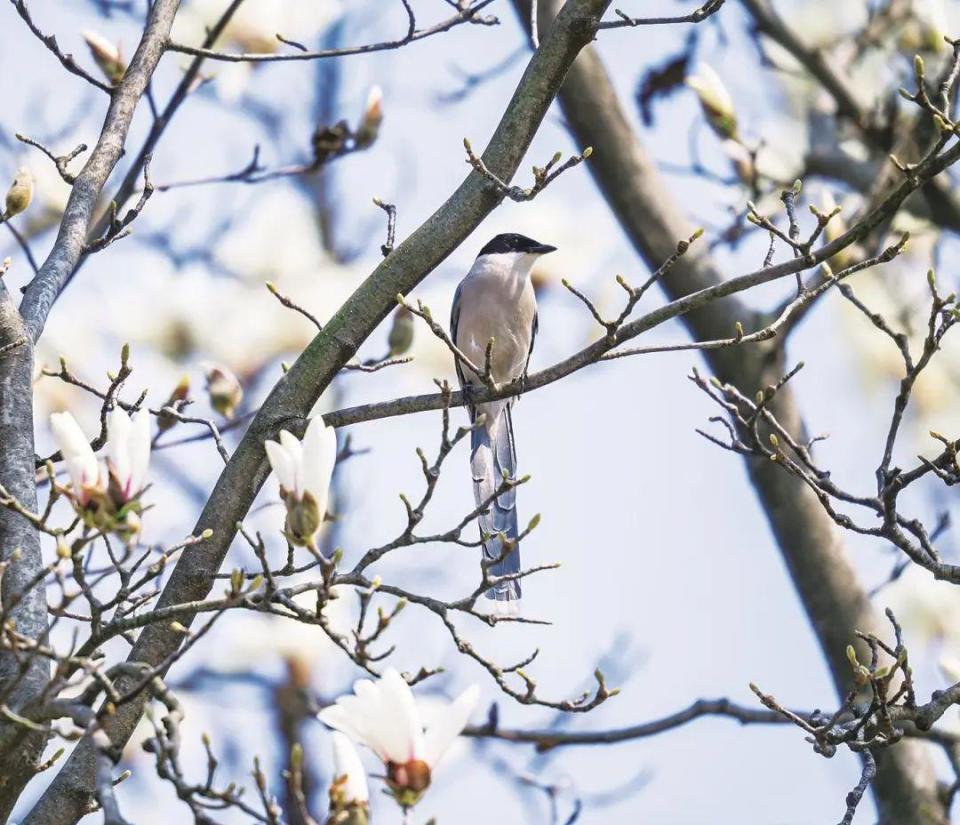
(660, 537)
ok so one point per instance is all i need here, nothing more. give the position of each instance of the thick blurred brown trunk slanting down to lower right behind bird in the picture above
(835, 603)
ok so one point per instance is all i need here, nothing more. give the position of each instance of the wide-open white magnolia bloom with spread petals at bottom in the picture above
(383, 715)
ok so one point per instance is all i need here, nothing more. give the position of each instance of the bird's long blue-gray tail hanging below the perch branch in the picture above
(493, 455)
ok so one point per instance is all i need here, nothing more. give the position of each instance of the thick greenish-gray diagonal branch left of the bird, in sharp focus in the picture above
(66, 799)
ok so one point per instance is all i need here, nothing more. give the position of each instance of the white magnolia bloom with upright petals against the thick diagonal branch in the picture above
(304, 469)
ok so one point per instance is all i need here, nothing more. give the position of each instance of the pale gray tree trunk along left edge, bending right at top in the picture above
(17, 472)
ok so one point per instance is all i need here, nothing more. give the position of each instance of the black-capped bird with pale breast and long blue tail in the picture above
(495, 300)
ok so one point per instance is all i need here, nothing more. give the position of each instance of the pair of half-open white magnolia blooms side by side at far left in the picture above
(107, 497)
